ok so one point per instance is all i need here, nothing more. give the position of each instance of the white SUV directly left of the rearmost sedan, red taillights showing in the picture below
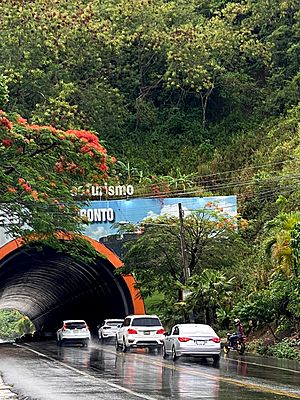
(140, 331)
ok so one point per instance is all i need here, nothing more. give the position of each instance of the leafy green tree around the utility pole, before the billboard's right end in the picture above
(211, 247)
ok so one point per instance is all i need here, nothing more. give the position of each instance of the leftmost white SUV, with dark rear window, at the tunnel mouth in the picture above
(73, 331)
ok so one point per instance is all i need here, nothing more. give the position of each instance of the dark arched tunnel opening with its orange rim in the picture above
(49, 287)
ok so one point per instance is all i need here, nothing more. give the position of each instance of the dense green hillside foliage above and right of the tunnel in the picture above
(198, 96)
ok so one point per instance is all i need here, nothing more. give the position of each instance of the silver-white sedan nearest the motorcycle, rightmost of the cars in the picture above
(196, 340)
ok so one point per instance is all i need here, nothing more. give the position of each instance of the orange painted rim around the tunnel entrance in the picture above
(138, 304)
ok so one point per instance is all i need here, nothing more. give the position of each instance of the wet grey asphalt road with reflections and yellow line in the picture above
(43, 371)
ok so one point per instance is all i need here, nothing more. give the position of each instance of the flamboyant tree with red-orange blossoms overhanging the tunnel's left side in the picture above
(40, 168)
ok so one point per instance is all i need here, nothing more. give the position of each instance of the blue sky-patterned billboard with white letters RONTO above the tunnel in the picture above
(103, 214)
